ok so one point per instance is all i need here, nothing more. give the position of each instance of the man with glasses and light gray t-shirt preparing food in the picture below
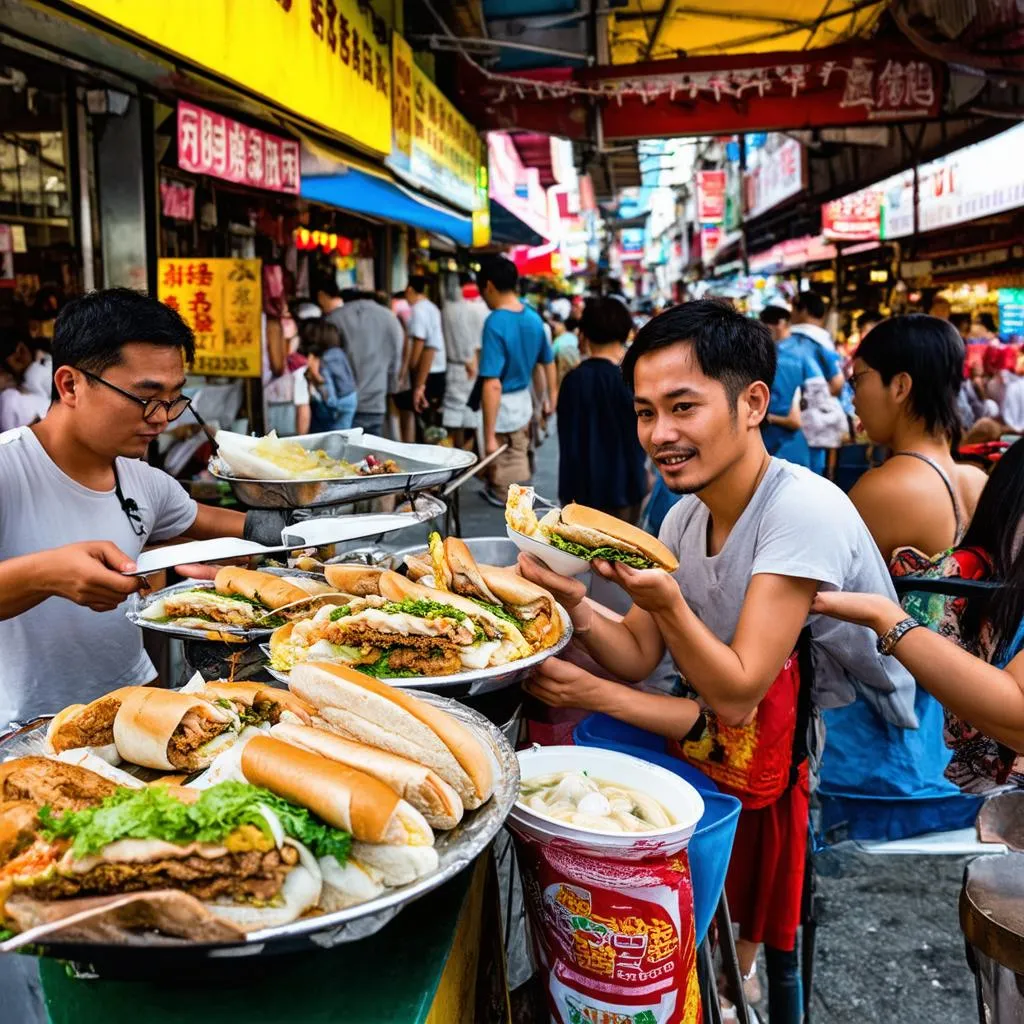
(78, 505)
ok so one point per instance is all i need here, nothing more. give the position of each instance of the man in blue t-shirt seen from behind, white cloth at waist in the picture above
(515, 347)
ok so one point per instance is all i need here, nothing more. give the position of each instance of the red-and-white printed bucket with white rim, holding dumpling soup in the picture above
(612, 914)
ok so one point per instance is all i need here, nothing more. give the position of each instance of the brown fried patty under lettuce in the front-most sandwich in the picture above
(253, 877)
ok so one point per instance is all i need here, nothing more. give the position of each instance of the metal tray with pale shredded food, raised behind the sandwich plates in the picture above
(422, 466)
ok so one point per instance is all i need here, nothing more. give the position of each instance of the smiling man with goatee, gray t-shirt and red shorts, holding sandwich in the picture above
(755, 538)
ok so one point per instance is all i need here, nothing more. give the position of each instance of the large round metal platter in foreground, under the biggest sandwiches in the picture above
(457, 849)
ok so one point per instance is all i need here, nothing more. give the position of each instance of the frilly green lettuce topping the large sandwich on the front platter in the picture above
(154, 814)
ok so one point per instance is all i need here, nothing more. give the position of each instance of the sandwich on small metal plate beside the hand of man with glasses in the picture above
(241, 599)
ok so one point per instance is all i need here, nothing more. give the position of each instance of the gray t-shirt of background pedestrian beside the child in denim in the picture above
(374, 340)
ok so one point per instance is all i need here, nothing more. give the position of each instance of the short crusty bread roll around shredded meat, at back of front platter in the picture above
(148, 719)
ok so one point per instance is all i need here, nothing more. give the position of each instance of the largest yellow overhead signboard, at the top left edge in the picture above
(327, 61)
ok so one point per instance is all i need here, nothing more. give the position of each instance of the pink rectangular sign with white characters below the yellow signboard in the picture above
(223, 148)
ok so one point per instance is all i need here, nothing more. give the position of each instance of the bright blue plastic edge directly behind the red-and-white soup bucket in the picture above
(711, 845)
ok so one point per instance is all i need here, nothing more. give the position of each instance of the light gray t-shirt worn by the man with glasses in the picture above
(60, 653)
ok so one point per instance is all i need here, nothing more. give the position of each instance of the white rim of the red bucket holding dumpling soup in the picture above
(676, 795)
